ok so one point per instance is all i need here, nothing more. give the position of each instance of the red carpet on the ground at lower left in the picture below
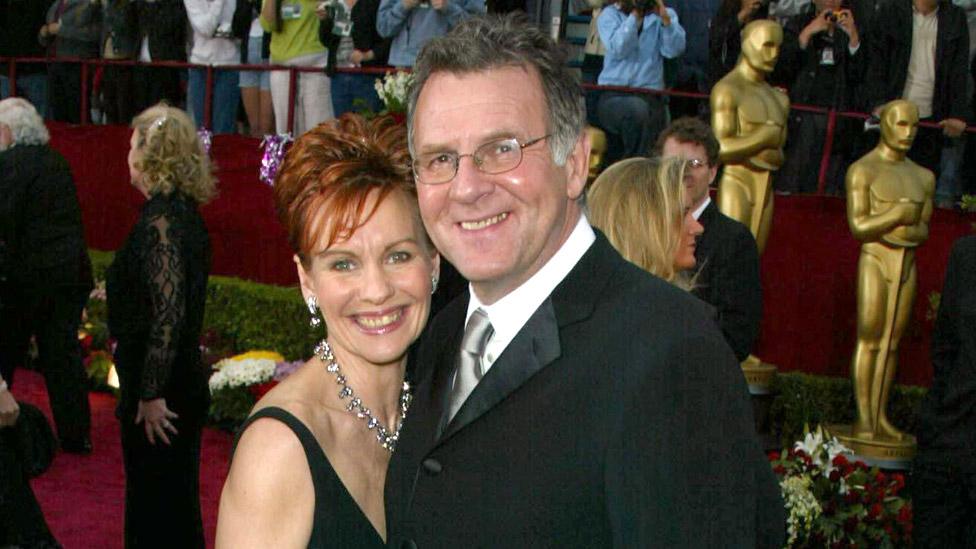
(83, 497)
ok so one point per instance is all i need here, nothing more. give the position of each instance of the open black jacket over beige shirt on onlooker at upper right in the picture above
(890, 43)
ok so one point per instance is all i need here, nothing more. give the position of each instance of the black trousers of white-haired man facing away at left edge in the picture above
(52, 318)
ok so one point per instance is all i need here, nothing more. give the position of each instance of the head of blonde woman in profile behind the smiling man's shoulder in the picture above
(640, 204)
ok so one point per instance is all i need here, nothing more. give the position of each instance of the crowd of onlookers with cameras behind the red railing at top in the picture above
(847, 55)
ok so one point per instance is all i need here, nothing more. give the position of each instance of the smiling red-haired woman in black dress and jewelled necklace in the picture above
(310, 464)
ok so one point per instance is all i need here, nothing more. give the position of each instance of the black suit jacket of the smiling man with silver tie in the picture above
(616, 417)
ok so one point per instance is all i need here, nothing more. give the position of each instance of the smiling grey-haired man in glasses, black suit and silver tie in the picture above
(587, 403)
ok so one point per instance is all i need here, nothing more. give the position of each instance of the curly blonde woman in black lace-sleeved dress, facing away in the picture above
(156, 292)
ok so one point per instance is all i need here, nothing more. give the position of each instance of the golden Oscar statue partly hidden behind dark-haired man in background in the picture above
(749, 120)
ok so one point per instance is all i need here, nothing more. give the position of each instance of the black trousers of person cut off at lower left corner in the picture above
(22, 523)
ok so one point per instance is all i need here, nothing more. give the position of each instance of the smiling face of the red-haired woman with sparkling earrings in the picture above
(374, 289)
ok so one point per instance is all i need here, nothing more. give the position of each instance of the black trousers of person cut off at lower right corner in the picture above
(944, 499)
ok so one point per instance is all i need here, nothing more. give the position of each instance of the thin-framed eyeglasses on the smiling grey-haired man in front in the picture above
(494, 157)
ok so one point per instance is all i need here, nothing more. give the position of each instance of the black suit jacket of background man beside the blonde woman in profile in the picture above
(728, 278)
